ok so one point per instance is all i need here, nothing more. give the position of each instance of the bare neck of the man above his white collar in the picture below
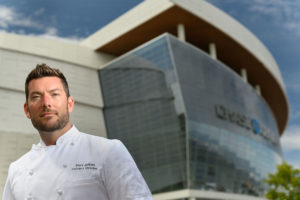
(50, 138)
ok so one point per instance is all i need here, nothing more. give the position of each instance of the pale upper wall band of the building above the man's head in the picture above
(54, 49)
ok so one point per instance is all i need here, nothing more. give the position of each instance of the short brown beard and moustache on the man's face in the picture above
(47, 126)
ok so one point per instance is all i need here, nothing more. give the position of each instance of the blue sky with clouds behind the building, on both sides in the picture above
(275, 22)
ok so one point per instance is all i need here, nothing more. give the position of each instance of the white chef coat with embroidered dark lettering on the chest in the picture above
(79, 166)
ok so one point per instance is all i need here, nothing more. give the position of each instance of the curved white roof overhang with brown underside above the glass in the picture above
(236, 46)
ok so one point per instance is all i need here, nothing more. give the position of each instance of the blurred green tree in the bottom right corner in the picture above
(284, 184)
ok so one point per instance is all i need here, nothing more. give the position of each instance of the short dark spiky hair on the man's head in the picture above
(43, 70)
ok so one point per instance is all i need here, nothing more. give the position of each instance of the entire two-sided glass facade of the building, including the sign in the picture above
(188, 120)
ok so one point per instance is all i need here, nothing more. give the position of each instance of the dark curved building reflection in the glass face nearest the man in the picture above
(139, 110)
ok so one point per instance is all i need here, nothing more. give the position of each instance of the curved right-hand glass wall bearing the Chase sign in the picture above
(233, 137)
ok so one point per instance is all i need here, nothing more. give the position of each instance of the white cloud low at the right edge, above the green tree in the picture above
(290, 140)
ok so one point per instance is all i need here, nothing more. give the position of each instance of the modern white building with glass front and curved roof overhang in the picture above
(197, 99)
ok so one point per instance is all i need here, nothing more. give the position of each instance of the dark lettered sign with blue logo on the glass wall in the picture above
(245, 122)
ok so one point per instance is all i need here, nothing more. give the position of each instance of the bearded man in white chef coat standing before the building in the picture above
(68, 164)
